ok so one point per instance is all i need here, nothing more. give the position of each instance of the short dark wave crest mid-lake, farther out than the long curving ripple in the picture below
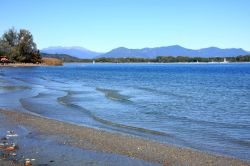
(114, 95)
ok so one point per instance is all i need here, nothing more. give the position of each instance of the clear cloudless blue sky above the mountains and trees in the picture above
(102, 25)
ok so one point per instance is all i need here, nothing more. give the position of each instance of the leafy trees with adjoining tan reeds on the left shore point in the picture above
(18, 48)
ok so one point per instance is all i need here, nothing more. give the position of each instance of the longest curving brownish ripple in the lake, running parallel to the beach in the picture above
(64, 100)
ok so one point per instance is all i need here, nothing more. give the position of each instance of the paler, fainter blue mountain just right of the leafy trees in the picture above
(78, 52)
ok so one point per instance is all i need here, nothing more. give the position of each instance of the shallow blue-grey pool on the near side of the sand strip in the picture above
(51, 150)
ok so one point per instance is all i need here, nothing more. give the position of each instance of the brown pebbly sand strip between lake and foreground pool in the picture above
(101, 141)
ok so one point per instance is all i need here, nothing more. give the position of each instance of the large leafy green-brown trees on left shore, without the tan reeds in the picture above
(19, 46)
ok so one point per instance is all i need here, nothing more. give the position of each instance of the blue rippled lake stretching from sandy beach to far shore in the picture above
(201, 106)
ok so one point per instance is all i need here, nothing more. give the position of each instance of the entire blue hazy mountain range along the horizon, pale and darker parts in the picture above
(123, 52)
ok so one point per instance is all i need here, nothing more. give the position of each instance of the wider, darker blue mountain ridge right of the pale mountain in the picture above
(173, 51)
